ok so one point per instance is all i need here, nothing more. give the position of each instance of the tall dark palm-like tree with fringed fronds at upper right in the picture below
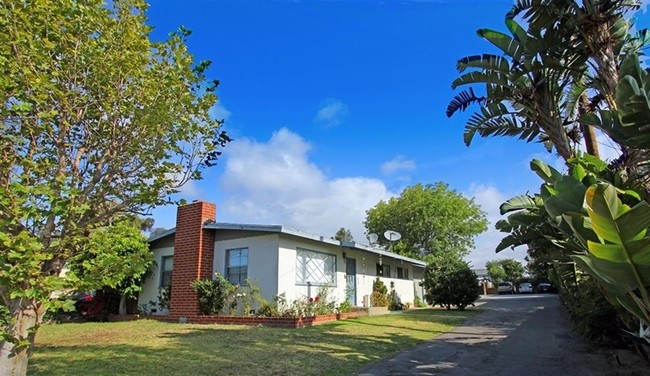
(564, 65)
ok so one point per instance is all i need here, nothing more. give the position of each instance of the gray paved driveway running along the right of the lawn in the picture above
(516, 335)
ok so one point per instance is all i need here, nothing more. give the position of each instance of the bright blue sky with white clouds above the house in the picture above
(336, 105)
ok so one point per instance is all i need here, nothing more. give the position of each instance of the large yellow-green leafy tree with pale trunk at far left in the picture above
(97, 121)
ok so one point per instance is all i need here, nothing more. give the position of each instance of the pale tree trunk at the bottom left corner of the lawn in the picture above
(14, 357)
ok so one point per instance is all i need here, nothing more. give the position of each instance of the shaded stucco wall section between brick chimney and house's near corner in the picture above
(262, 260)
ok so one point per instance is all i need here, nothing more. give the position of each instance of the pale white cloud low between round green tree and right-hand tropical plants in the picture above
(490, 198)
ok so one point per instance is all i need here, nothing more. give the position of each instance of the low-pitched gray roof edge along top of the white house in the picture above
(278, 229)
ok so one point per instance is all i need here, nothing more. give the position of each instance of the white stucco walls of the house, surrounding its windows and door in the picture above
(272, 267)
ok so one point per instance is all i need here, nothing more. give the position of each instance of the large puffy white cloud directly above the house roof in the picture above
(274, 182)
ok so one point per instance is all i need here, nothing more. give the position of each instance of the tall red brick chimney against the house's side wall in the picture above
(193, 255)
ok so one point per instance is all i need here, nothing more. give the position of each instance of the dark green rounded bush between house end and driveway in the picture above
(450, 283)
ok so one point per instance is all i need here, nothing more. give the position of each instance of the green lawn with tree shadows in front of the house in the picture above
(152, 347)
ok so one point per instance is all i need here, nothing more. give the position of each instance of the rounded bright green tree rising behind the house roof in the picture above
(432, 219)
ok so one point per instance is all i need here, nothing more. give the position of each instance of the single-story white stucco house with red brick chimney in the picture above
(275, 258)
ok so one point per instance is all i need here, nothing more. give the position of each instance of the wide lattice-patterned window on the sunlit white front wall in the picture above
(315, 268)
